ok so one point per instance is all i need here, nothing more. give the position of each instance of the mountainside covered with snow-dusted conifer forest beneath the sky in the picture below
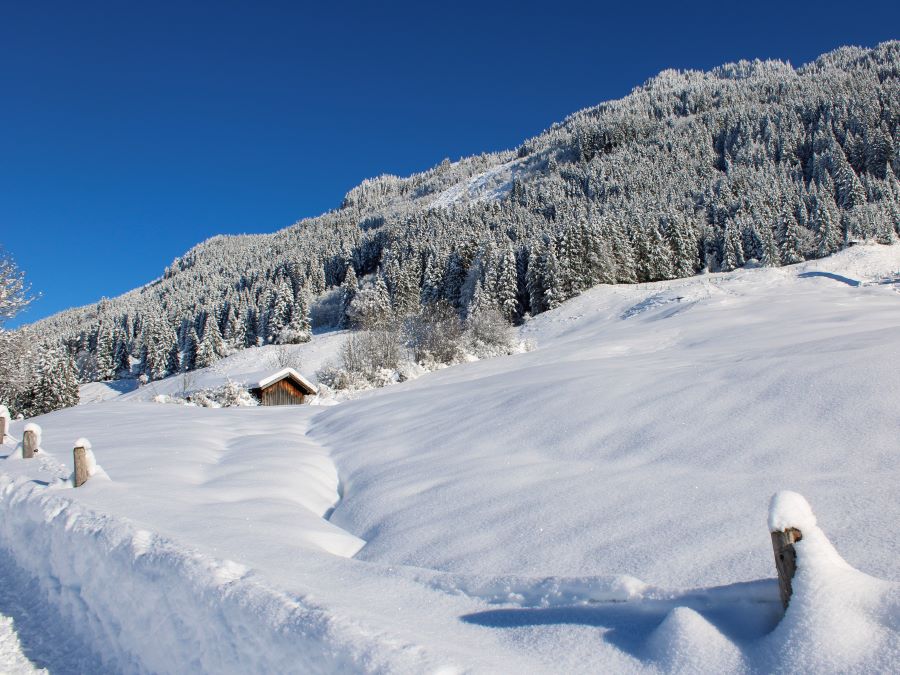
(752, 161)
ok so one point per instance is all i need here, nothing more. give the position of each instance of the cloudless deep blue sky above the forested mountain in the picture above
(131, 131)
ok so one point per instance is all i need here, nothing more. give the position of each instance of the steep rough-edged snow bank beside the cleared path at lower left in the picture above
(141, 603)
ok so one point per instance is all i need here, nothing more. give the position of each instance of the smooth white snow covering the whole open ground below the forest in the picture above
(597, 505)
